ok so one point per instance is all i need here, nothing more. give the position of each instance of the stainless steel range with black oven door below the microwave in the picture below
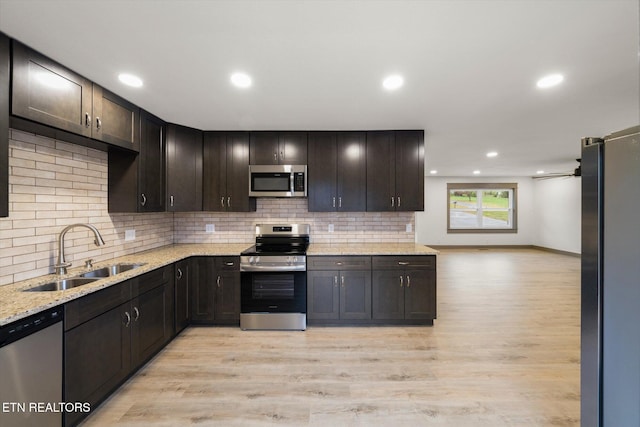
(274, 278)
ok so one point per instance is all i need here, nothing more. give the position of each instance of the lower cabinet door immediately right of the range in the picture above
(323, 295)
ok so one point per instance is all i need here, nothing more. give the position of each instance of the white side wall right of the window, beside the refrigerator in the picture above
(558, 214)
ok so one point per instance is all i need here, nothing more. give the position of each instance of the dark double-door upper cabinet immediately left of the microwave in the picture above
(226, 172)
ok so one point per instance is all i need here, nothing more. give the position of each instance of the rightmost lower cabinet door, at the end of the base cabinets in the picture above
(420, 294)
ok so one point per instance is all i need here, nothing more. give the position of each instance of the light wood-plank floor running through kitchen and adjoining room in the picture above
(504, 351)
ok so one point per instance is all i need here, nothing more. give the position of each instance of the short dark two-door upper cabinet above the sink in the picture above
(49, 93)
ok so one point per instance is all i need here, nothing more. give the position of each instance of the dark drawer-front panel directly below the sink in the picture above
(93, 305)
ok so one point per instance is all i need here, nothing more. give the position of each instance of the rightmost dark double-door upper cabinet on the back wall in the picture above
(395, 170)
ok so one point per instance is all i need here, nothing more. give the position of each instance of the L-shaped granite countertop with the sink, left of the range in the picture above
(16, 304)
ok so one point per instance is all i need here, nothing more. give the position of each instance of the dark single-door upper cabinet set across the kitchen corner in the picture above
(184, 169)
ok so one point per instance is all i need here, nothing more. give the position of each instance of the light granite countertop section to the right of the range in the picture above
(369, 249)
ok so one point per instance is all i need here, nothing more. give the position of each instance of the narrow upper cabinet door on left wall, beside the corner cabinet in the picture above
(151, 164)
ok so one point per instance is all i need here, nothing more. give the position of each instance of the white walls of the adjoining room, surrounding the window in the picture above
(548, 214)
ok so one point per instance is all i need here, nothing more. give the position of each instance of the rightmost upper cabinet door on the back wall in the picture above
(409, 170)
